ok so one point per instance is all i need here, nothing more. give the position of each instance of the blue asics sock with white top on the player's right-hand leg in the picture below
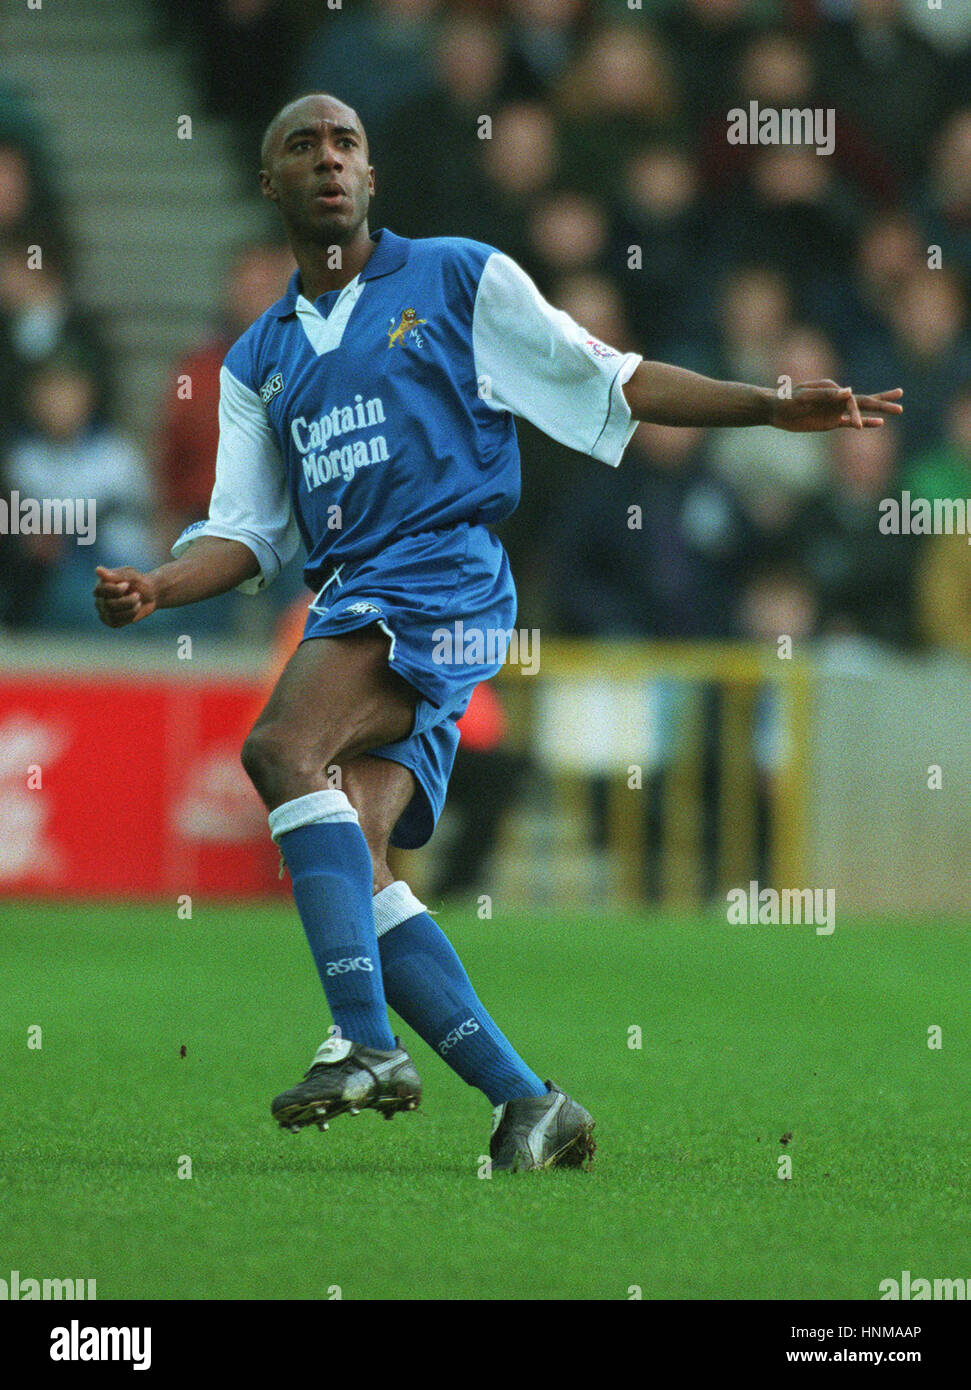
(427, 985)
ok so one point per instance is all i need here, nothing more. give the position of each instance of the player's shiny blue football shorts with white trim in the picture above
(448, 603)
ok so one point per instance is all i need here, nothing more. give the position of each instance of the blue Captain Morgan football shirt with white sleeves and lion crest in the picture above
(385, 409)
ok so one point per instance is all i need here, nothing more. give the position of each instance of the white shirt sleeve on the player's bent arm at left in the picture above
(251, 501)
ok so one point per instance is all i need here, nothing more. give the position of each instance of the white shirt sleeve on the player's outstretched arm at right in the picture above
(538, 363)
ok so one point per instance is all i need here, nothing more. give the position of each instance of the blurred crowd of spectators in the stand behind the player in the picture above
(605, 170)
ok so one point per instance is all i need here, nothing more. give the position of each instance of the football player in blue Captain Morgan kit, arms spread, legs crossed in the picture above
(370, 414)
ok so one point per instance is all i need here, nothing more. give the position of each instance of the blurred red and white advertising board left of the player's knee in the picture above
(122, 787)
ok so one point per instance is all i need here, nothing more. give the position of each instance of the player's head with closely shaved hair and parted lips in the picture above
(319, 173)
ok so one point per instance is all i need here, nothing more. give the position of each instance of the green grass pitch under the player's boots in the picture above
(748, 1033)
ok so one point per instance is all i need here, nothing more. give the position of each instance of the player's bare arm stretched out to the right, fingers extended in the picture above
(669, 395)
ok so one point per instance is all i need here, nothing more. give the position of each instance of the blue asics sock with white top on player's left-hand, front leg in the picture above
(333, 879)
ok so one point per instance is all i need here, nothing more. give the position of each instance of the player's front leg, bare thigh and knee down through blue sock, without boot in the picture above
(335, 697)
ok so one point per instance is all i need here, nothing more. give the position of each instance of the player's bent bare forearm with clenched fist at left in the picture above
(209, 566)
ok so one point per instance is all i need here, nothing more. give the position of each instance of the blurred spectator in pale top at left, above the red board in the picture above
(67, 452)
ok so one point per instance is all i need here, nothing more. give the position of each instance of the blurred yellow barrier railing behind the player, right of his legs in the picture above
(724, 785)
